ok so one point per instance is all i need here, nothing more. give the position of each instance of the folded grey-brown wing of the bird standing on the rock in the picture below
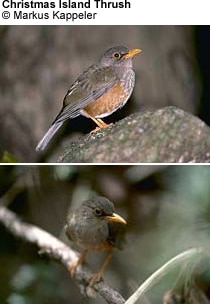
(92, 84)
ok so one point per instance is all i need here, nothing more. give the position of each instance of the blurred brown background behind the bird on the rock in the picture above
(39, 63)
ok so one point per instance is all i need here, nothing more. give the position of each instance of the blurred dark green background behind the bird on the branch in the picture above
(167, 209)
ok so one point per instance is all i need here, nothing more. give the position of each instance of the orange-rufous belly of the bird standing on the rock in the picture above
(108, 103)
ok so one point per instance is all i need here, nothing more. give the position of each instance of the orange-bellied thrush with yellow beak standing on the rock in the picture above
(99, 91)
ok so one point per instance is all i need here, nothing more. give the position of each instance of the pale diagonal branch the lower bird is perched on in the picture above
(55, 249)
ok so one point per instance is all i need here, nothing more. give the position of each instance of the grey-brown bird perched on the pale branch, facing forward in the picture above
(94, 226)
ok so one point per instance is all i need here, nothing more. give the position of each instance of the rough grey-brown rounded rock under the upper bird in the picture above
(166, 135)
